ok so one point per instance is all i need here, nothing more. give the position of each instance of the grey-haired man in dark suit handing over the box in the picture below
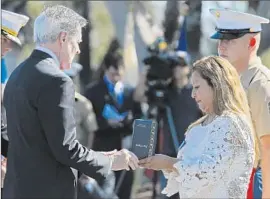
(39, 100)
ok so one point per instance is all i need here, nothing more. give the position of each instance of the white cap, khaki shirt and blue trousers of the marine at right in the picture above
(255, 79)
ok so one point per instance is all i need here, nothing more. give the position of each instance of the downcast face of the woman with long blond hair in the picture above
(202, 93)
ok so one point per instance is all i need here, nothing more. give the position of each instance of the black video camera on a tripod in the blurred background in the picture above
(161, 63)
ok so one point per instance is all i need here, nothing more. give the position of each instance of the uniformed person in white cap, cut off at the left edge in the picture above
(10, 27)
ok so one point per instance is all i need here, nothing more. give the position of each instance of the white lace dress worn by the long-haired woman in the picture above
(215, 161)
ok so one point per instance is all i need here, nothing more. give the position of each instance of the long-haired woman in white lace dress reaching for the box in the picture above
(218, 154)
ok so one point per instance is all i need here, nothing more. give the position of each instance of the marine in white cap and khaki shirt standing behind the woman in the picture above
(239, 39)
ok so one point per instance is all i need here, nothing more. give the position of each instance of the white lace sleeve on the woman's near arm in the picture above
(225, 142)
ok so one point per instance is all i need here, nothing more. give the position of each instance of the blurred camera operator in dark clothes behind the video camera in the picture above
(184, 111)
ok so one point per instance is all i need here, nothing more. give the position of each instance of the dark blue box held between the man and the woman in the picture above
(144, 138)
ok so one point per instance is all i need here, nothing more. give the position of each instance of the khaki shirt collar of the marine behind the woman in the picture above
(247, 76)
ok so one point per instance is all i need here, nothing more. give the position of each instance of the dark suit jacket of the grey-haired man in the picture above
(39, 100)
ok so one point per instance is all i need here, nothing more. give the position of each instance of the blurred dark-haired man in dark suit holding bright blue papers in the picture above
(115, 109)
